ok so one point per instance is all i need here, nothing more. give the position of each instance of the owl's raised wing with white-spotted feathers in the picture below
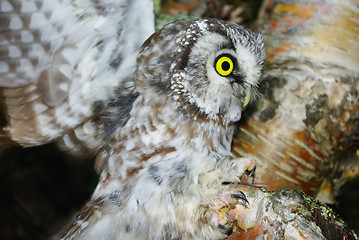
(61, 59)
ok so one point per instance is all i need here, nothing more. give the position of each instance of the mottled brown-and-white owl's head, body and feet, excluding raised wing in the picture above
(164, 169)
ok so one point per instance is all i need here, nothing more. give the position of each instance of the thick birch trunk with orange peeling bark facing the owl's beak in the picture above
(305, 129)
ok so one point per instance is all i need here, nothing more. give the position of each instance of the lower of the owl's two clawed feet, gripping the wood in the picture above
(223, 206)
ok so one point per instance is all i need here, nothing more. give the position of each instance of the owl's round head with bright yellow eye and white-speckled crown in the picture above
(211, 68)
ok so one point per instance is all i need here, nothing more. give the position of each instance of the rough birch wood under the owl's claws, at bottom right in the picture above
(284, 214)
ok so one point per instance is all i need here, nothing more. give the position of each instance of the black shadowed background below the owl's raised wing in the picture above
(41, 188)
